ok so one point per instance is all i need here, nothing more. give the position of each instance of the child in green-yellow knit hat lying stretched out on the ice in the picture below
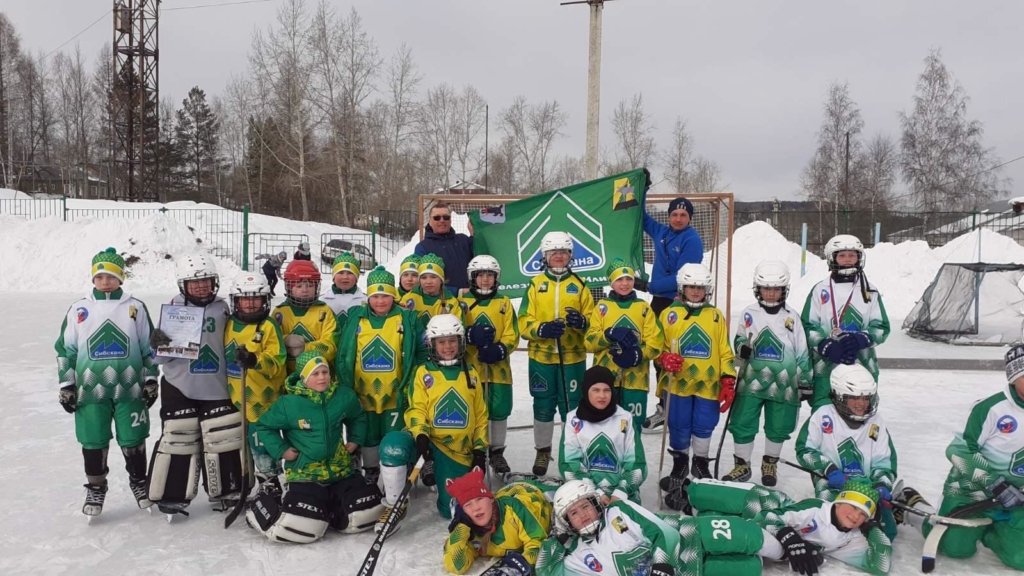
(806, 531)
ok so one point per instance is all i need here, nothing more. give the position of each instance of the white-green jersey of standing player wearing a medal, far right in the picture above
(841, 307)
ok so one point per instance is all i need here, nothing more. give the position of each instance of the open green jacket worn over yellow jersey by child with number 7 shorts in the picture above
(414, 349)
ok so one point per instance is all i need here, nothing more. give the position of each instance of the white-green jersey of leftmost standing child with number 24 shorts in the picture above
(104, 348)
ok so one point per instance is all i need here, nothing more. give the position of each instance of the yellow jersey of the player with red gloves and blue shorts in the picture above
(702, 338)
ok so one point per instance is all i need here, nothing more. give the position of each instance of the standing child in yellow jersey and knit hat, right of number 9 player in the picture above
(624, 337)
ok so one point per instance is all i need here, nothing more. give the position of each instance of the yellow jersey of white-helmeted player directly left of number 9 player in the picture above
(498, 313)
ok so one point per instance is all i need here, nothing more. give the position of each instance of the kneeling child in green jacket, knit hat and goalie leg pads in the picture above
(325, 487)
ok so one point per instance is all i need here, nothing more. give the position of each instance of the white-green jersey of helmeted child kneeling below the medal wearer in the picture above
(826, 440)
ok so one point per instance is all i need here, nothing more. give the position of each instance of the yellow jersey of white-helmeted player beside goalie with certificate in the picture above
(266, 382)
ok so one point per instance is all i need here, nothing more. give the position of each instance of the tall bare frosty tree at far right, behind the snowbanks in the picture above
(943, 156)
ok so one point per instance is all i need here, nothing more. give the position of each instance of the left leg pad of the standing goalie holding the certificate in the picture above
(175, 471)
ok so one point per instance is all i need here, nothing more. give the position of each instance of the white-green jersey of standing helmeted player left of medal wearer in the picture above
(780, 362)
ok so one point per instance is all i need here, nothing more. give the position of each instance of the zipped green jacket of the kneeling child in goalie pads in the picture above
(312, 423)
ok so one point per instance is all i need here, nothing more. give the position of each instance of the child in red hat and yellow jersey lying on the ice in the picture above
(511, 525)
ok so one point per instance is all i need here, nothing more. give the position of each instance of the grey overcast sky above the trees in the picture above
(750, 77)
